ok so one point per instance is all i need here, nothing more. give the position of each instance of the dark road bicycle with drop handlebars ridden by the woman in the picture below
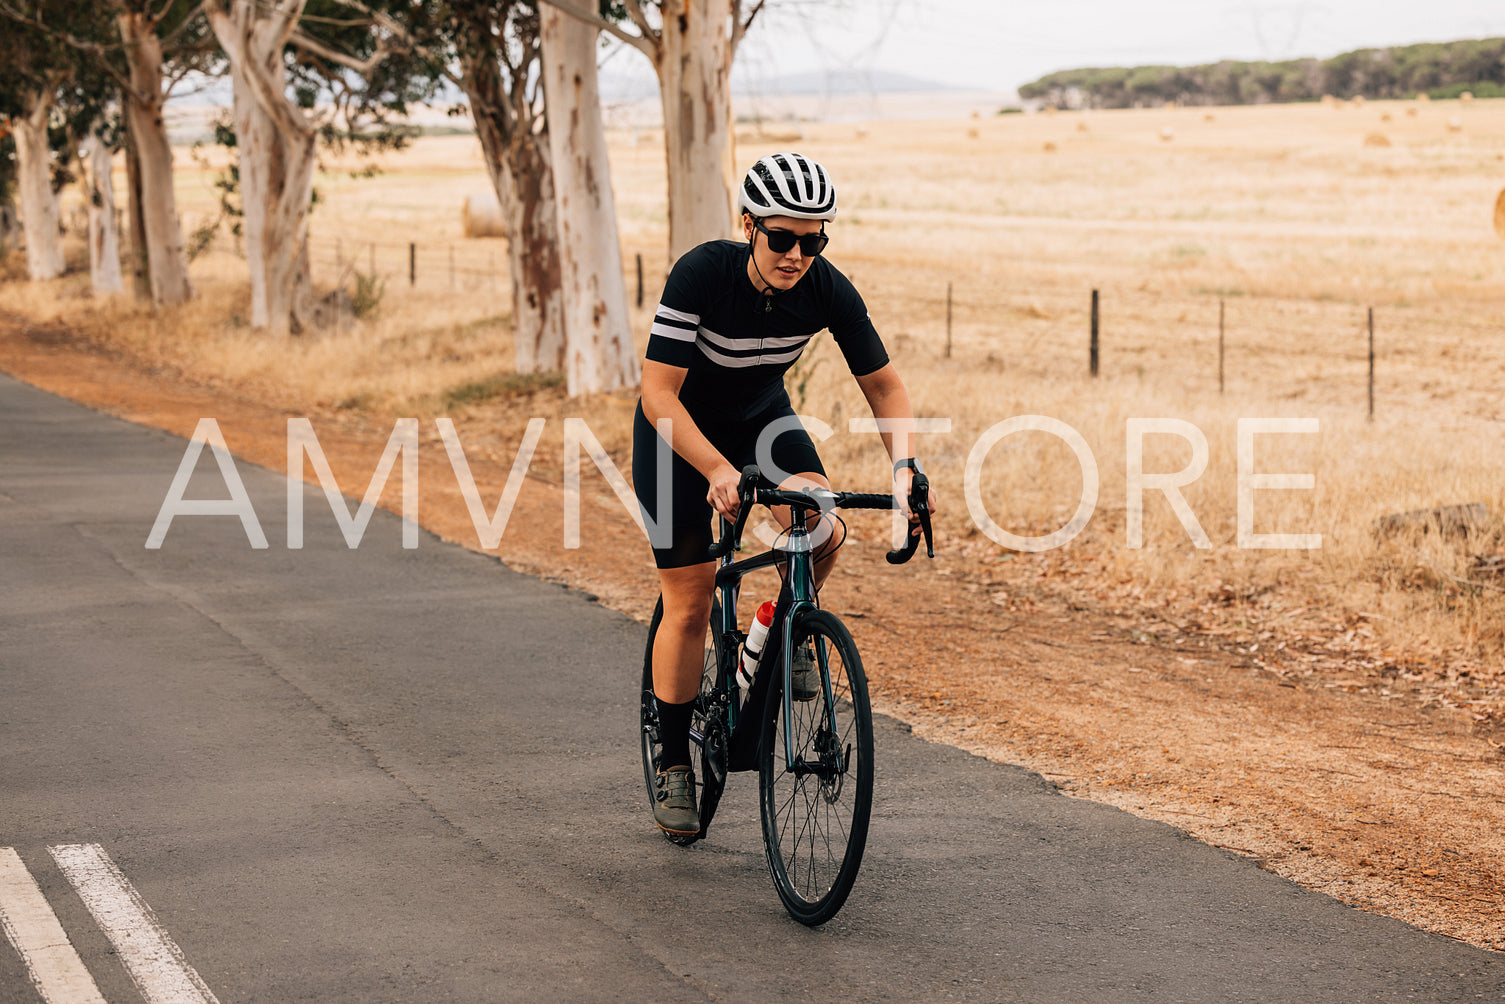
(813, 750)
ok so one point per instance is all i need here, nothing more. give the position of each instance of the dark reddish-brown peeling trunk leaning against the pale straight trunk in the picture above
(518, 163)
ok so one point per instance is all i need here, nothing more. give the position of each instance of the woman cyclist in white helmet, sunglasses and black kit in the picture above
(734, 318)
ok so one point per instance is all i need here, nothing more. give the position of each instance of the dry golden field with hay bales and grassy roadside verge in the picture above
(1283, 214)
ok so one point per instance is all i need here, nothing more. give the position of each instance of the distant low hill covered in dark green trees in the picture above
(1441, 70)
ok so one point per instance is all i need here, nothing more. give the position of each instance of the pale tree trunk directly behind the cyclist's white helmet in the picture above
(693, 59)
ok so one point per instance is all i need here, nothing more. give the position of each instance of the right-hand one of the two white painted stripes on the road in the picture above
(156, 964)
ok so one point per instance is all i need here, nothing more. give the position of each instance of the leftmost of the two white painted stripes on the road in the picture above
(32, 926)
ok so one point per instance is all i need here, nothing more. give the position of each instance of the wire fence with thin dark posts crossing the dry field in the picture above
(1208, 339)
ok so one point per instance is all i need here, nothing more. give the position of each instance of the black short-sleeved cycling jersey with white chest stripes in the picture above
(738, 342)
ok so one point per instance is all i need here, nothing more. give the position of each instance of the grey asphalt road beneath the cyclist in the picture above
(412, 776)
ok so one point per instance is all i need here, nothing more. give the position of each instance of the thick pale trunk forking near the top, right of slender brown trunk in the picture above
(278, 150)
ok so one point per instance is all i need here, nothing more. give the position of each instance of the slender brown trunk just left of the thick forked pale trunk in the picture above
(154, 205)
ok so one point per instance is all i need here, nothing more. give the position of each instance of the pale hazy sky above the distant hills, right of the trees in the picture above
(1002, 44)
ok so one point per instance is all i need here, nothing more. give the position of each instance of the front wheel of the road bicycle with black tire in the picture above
(815, 824)
